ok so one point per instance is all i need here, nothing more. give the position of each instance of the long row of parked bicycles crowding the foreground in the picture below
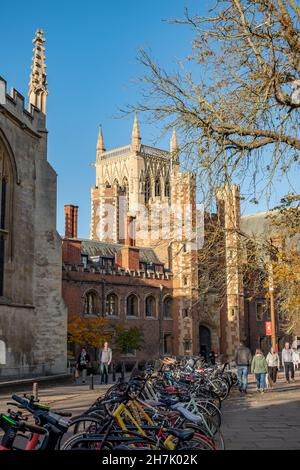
(176, 407)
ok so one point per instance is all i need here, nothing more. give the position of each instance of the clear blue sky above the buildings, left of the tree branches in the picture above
(91, 53)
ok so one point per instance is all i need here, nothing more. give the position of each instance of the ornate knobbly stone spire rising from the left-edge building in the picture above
(38, 78)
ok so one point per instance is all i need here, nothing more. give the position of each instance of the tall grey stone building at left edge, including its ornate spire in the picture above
(33, 316)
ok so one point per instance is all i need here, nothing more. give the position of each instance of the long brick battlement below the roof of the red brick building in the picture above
(149, 274)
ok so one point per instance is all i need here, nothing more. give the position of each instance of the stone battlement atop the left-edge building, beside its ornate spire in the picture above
(14, 104)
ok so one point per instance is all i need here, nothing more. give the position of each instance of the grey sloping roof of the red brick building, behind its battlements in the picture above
(108, 250)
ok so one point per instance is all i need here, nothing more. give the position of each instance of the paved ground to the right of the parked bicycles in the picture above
(268, 421)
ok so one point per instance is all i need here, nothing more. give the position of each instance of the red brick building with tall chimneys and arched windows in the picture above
(127, 284)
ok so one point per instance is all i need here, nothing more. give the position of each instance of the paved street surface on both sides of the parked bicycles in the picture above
(254, 422)
